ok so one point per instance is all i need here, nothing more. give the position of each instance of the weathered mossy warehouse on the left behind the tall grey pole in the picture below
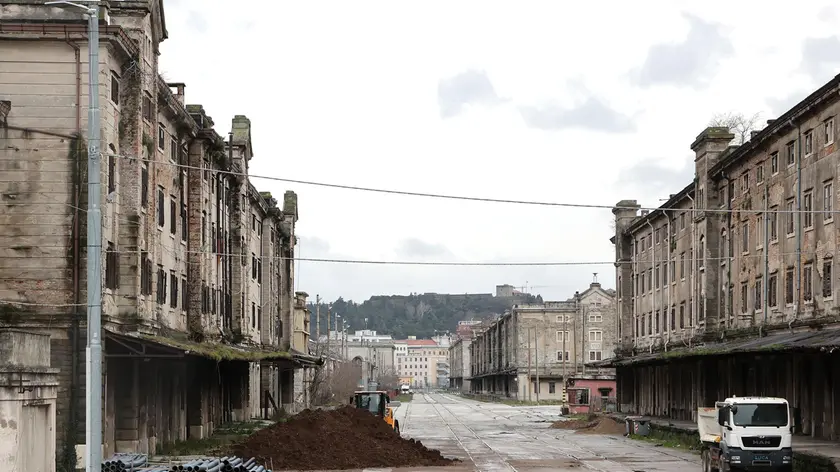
(179, 341)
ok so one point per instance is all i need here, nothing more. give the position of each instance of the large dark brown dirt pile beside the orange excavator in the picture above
(346, 438)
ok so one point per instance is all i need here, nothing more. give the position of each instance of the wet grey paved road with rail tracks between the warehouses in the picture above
(496, 437)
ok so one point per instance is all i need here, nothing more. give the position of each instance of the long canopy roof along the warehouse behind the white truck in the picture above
(823, 340)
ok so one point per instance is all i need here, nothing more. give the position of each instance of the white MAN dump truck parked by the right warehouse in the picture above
(746, 434)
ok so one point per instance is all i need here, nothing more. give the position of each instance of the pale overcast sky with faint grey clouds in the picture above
(549, 101)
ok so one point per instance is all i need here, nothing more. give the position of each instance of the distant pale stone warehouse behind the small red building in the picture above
(534, 351)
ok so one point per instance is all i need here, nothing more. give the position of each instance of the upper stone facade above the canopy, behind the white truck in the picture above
(762, 228)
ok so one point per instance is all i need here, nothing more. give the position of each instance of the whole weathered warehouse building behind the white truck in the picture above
(718, 286)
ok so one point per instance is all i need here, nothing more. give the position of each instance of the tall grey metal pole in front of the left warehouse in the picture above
(93, 370)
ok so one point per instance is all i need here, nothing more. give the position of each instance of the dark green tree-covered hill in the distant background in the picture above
(421, 315)
